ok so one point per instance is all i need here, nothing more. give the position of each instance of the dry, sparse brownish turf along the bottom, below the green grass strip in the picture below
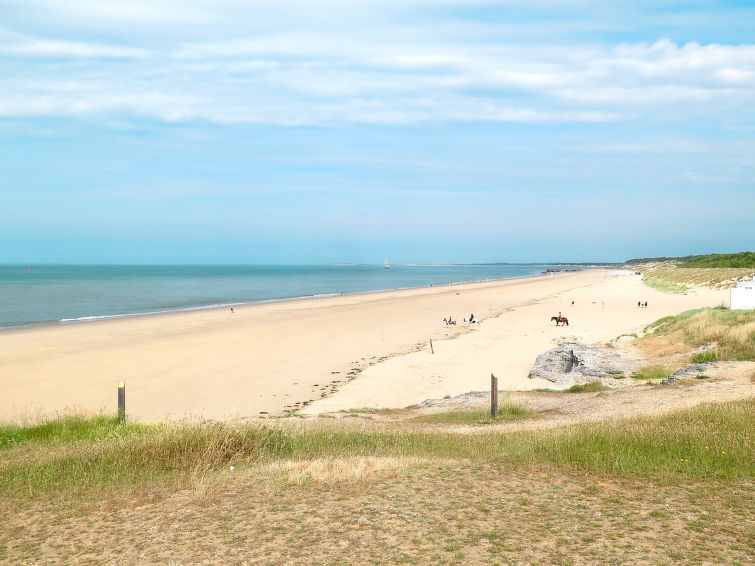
(443, 512)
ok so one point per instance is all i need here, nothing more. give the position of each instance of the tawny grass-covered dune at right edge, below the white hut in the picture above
(731, 334)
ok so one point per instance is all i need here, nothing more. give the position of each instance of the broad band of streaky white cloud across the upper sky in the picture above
(295, 63)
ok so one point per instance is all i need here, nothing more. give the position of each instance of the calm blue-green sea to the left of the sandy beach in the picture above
(64, 294)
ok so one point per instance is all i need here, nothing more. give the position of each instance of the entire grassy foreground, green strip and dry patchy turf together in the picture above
(674, 488)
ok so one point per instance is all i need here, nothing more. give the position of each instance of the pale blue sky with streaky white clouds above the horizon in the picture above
(419, 131)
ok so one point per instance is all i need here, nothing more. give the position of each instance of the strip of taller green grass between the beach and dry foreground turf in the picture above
(707, 441)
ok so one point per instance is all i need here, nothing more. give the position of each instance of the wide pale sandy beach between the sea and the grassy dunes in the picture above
(274, 357)
